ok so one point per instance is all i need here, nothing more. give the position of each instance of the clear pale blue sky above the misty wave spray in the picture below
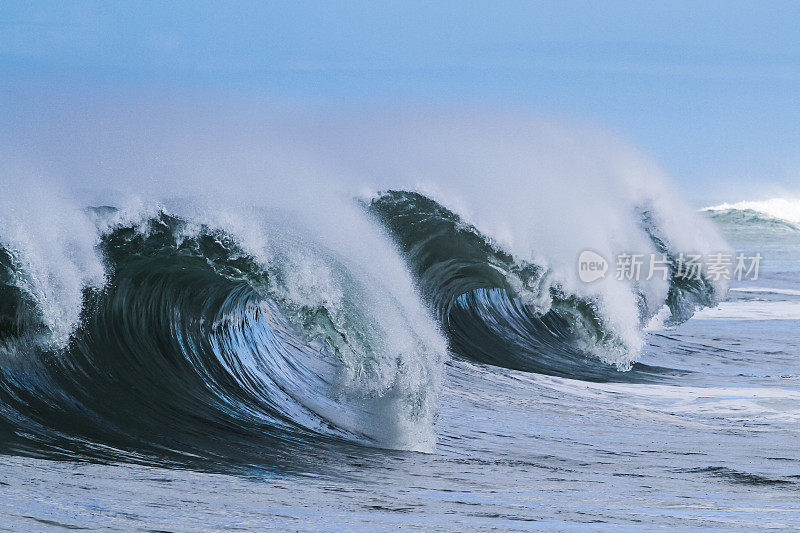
(710, 90)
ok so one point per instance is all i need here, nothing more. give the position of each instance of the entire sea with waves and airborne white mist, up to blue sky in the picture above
(375, 320)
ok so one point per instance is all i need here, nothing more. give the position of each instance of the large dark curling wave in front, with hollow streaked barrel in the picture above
(193, 347)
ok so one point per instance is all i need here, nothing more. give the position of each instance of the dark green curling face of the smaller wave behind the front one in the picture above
(498, 310)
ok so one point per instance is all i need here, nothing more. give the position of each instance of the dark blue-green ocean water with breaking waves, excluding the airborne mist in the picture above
(169, 369)
